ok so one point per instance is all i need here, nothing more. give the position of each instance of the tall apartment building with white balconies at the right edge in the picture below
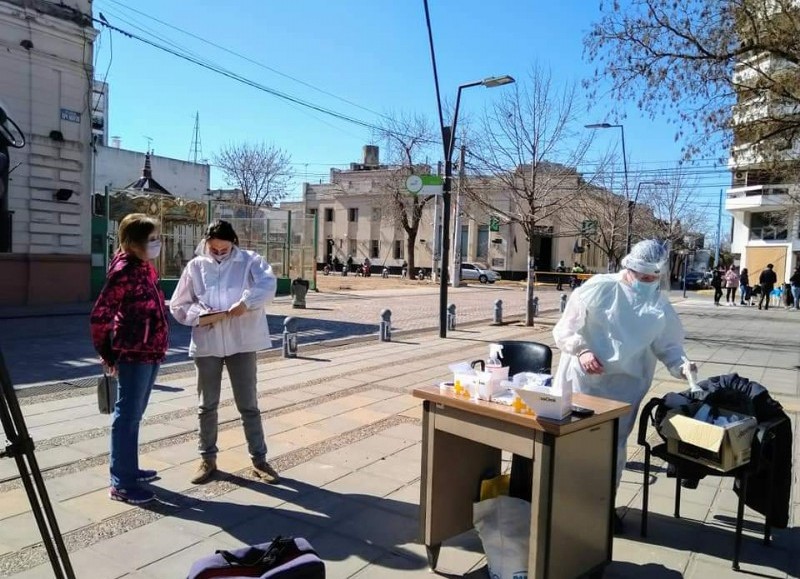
(764, 192)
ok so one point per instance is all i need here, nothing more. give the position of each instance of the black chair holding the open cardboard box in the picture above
(685, 469)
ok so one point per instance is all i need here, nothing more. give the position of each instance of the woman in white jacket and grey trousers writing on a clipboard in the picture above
(236, 284)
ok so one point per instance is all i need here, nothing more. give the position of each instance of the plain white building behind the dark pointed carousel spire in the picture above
(118, 168)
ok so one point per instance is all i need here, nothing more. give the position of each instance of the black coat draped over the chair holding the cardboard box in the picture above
(742, 396)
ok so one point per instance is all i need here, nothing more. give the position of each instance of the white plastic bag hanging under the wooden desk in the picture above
(504, 526)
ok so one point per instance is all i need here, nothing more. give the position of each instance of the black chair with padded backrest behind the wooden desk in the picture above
(522, 356)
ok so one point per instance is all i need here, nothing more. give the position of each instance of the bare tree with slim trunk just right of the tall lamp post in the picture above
(525, 158)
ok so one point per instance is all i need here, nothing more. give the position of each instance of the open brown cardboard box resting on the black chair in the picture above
(719, 447)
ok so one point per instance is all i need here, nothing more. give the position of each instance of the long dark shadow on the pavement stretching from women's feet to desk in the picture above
(374, 529)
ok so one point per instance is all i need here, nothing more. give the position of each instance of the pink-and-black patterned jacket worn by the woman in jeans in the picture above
(129, 320)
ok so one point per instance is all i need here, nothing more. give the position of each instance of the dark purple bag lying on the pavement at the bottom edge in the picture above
(282, 558)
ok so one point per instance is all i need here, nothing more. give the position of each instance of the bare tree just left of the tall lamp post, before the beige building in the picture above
(407, 138)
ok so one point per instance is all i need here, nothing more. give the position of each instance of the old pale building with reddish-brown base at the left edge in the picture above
(46, 55)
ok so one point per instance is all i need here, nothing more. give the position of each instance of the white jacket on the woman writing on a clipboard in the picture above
(206, 285)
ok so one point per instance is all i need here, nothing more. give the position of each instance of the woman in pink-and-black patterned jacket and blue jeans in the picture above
(130, 331)
